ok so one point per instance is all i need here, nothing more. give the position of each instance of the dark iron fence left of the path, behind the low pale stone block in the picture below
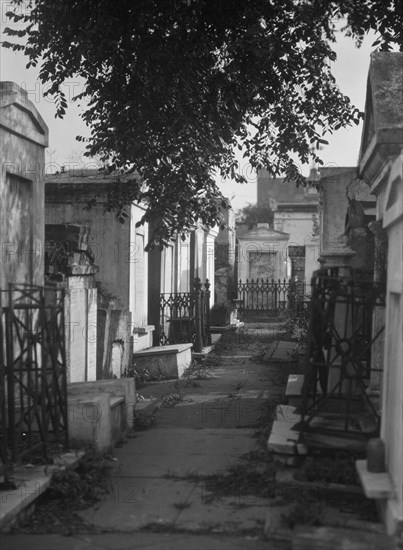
(185, 317)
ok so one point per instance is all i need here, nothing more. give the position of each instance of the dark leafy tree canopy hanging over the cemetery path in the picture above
(174, 87)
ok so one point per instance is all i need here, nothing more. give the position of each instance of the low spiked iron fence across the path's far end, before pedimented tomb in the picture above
(268, 295)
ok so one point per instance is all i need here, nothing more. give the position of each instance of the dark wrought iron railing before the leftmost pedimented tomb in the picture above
(33, 386)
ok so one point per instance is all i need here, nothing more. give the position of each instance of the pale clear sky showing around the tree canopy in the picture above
(350, 71)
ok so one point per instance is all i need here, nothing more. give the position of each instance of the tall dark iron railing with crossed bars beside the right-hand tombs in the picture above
(341, 337)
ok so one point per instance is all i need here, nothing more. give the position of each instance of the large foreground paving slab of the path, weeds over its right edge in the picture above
(154, 483)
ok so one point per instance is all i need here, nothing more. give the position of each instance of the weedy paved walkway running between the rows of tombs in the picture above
(173, 486)
